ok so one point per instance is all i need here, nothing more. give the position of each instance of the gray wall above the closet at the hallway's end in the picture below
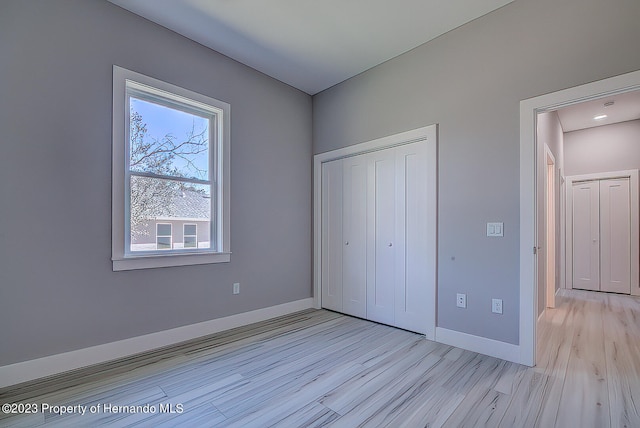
(604, 148)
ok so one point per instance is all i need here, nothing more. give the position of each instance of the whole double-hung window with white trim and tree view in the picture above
(170, 167)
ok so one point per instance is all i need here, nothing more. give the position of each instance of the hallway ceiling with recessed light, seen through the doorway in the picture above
(581, 116)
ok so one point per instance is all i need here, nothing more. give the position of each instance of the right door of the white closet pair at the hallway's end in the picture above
(615, 235)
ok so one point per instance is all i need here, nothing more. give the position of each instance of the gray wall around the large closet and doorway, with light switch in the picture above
(470, 81)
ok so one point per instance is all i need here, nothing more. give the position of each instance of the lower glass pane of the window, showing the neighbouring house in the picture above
(156, 200)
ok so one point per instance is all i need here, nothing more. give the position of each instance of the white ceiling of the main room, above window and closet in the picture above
(309, 44)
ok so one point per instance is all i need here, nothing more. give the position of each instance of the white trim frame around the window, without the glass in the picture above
(123, 260)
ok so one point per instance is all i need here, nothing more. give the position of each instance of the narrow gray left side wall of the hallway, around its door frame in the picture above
(549, 132)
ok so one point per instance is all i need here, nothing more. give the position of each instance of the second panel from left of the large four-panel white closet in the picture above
(354, 236)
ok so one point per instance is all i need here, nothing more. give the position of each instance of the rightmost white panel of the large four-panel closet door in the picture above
(412, 240)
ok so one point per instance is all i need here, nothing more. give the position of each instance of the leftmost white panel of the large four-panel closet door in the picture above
(332, 244)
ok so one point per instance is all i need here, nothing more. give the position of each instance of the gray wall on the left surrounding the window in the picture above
(57, 290)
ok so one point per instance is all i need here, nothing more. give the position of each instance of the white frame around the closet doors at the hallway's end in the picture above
(632, 175)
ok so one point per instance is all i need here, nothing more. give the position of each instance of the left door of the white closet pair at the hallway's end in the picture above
(586, 235)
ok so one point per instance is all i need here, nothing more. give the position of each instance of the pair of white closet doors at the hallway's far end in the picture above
(602, 235)
